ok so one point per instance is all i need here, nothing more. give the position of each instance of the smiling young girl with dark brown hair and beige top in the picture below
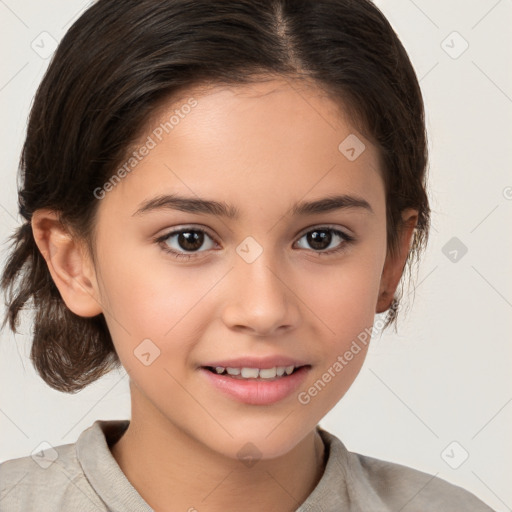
(219, 196)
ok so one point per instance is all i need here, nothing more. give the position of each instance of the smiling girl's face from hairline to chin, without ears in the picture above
(186, 289)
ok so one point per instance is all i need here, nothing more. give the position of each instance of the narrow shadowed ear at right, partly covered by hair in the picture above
(394, 265)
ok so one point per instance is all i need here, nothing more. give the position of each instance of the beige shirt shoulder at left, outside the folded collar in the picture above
(51, 479)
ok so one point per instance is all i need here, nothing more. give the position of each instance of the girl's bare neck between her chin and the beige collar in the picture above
(168, 467)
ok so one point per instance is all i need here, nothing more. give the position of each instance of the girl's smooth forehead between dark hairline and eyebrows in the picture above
(262, 141)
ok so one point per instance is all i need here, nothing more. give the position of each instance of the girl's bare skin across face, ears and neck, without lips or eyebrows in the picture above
(261, 148)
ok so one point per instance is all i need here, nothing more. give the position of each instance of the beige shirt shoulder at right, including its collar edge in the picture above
(397, 487)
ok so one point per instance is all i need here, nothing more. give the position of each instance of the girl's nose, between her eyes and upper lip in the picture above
(261, 299)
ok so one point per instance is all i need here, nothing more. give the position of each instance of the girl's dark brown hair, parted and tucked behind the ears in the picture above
(120, 61)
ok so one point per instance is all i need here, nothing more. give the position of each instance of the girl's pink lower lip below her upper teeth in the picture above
(257, 391)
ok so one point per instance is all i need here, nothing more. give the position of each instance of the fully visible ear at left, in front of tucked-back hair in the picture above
(68, 263)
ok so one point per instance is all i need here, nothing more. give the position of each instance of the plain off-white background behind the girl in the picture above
(446, 376)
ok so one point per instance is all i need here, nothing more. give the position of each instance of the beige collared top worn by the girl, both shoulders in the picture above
(85, 477)
